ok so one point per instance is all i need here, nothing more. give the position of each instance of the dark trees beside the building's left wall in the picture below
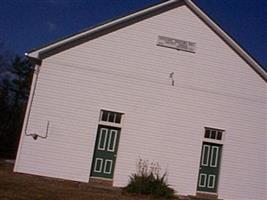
(15, 79)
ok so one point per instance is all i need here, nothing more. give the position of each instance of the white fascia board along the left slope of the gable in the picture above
(35, 54)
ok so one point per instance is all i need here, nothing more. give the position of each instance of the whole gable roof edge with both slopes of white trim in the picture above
(110, 26)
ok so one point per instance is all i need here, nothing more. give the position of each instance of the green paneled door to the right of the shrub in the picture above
(209, 167)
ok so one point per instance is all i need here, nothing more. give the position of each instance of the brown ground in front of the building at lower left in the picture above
(16, 186)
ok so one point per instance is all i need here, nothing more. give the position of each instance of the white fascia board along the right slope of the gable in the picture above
(227, 39)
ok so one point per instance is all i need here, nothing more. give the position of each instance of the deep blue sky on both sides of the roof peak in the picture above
(28, 24)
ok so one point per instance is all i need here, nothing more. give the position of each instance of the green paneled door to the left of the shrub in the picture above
(105, 153)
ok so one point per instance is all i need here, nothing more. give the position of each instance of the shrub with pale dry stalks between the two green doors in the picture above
(148, 181)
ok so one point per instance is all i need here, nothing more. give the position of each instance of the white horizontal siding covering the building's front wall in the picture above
(125, 71)
